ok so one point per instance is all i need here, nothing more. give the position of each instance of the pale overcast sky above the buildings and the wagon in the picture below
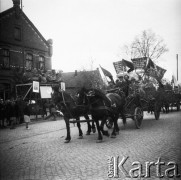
(89, 33)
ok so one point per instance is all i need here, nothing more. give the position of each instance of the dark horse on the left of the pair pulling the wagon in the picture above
(70, 109)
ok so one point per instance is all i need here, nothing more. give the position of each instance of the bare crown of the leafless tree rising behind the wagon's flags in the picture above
(147, 44)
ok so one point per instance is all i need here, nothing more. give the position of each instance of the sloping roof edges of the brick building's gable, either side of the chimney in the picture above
(23, 15)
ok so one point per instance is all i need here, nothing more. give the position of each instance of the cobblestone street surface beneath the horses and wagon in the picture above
(40, 153)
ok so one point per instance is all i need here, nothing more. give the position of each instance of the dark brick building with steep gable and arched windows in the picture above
(22, 49)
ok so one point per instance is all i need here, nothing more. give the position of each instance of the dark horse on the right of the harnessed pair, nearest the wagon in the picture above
(103, 106)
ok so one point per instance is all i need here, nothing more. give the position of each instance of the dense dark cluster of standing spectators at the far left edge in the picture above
(12, 112)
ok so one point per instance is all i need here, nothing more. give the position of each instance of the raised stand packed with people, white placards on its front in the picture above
(36, 87)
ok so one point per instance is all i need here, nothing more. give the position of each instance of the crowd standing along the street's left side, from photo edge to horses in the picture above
(13, 112)
